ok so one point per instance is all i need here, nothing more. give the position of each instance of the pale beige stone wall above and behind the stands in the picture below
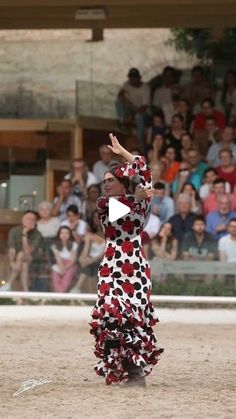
(39, 69)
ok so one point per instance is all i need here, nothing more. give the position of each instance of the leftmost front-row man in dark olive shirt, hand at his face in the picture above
(24, 246)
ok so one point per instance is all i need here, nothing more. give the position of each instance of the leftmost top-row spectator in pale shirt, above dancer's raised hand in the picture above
(132, 103)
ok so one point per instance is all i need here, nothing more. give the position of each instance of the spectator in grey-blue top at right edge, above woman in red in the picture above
(226, 142)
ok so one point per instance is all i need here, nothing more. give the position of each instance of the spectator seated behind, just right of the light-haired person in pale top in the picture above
(64, 199)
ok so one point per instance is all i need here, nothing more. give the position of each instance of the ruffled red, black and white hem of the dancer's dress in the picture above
(123, 332)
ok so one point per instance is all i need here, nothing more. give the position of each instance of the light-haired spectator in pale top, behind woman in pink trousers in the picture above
(47, 225)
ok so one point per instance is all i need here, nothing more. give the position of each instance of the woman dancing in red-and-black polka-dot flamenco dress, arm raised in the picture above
(123, 316)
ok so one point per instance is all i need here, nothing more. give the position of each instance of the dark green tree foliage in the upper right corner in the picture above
(199, 42)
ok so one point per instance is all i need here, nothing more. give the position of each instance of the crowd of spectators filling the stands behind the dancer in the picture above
(188, 136)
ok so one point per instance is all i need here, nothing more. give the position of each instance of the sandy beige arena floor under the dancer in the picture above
(196, 377)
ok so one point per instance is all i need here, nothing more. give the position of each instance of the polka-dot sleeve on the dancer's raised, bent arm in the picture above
(138, 167)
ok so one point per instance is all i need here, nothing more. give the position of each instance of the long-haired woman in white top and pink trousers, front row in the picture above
(65, 253)
